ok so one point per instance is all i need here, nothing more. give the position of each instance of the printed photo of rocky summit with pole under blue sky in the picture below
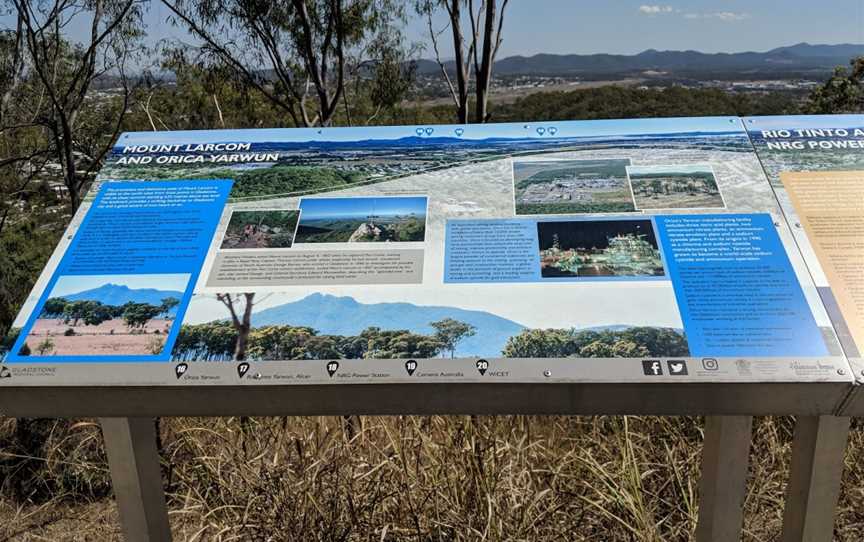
(362, 220)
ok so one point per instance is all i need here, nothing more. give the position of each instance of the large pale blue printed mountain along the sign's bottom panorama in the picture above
(332, 315)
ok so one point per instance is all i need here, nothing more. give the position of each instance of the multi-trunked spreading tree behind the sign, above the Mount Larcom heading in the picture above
(289, 50)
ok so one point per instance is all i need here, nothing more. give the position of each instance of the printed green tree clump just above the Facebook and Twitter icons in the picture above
(627, 343)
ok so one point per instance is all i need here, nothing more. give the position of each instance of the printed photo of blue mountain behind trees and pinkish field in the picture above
(106, 315)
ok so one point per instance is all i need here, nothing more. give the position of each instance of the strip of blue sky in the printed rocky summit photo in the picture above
(318, 208)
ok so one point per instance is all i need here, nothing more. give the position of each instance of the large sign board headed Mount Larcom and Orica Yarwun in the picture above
(632, 252)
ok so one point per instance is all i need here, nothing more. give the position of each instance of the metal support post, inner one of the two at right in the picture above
(722, 489)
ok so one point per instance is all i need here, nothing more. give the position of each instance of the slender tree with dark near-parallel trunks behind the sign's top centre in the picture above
(477, 52)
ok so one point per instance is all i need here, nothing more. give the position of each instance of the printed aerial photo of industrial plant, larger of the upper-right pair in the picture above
(571, 186)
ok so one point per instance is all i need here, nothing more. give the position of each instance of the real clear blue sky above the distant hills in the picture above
(627, 26)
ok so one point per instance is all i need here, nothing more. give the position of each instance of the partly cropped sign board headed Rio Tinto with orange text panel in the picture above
(816, 165)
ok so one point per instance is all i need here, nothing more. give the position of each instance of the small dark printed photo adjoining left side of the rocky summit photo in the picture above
(261, 229)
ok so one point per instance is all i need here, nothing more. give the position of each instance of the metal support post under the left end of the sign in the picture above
(137, 478)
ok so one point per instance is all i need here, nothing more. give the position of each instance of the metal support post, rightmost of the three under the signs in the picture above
(818, 450)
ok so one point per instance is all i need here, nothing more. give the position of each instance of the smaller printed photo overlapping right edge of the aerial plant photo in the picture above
(692, 186)
